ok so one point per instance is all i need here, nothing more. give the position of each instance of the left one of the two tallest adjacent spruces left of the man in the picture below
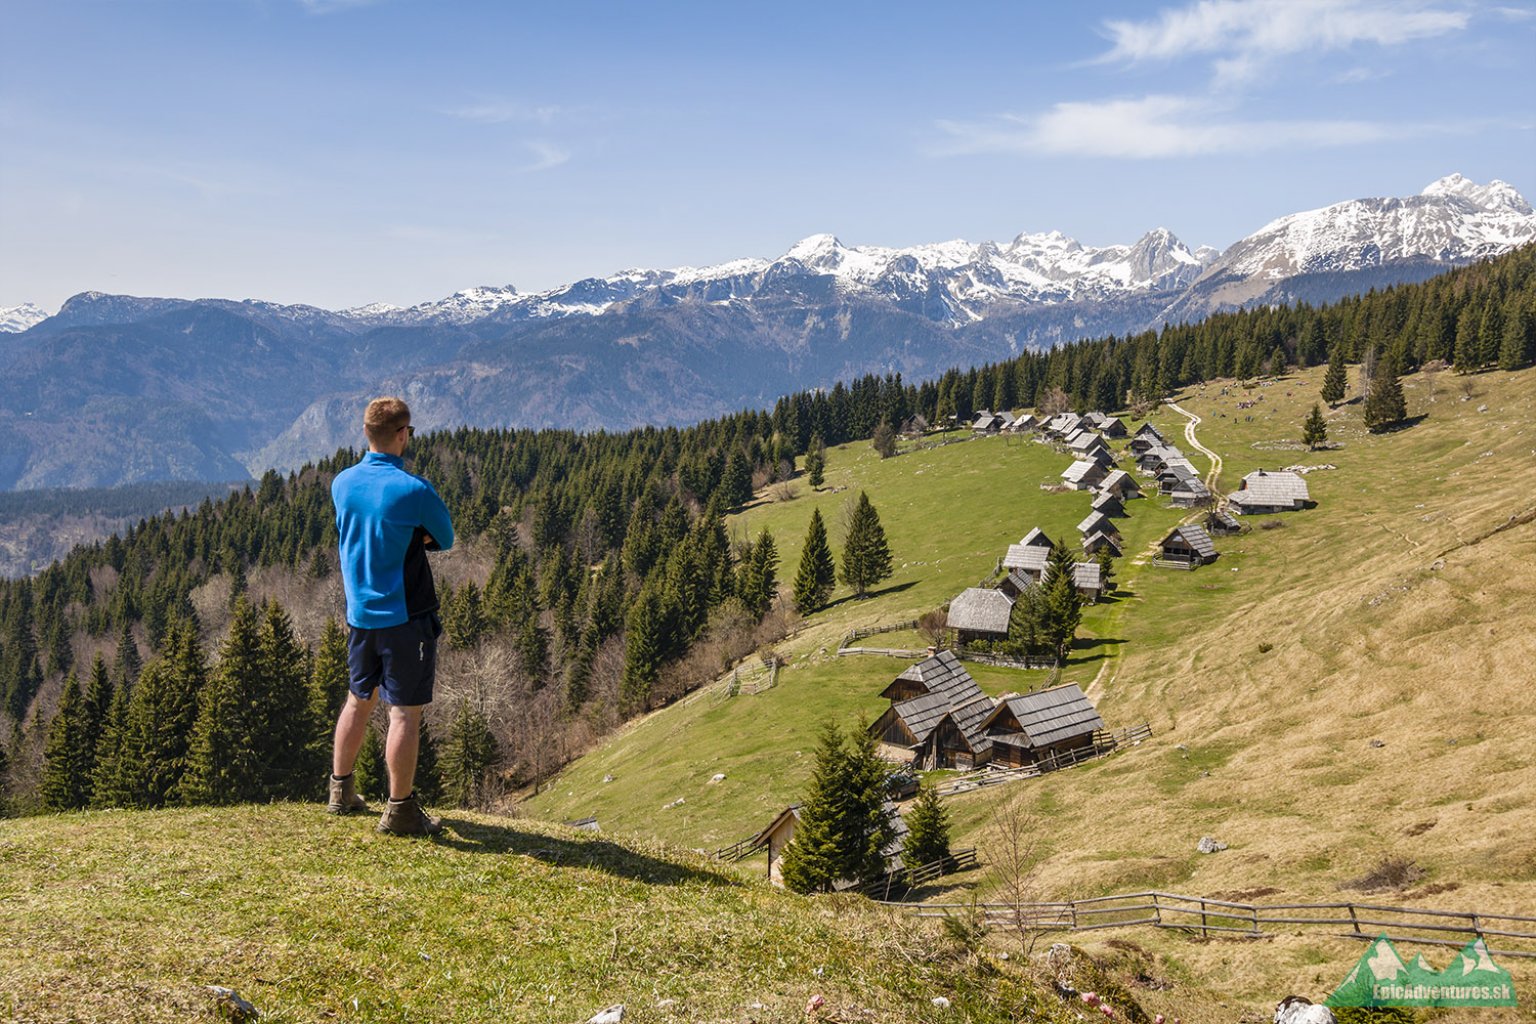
(225, 759)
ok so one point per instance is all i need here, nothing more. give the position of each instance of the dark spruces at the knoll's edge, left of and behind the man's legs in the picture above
(253, 727)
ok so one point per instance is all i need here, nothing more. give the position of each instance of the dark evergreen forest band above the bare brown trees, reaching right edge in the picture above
(601, 537)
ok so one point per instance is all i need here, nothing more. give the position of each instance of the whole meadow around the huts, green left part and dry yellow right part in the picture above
(1348, 685)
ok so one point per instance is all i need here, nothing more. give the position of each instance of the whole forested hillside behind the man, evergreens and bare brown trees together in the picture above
(595, 580)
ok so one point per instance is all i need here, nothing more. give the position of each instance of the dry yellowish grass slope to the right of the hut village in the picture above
(1402, 610)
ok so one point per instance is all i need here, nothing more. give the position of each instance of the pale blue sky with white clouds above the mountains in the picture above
(349, 151)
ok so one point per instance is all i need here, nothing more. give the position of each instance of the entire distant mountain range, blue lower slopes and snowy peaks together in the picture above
(119, 389)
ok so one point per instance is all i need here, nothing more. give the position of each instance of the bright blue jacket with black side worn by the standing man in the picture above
(383, 514)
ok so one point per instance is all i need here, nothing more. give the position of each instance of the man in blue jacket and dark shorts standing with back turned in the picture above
(388, 520)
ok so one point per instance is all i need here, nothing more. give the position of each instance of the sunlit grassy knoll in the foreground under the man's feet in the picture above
(130, 916)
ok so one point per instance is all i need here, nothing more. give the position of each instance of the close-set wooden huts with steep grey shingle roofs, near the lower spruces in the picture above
(939, 718)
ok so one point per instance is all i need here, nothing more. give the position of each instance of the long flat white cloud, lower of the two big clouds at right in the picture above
(1156, 128)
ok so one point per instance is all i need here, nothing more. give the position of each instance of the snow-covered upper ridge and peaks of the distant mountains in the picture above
(1452, 220)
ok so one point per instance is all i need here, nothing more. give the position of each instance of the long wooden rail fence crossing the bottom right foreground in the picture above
(1515, 936)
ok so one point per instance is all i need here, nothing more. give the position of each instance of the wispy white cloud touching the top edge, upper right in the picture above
(1243, 36)
